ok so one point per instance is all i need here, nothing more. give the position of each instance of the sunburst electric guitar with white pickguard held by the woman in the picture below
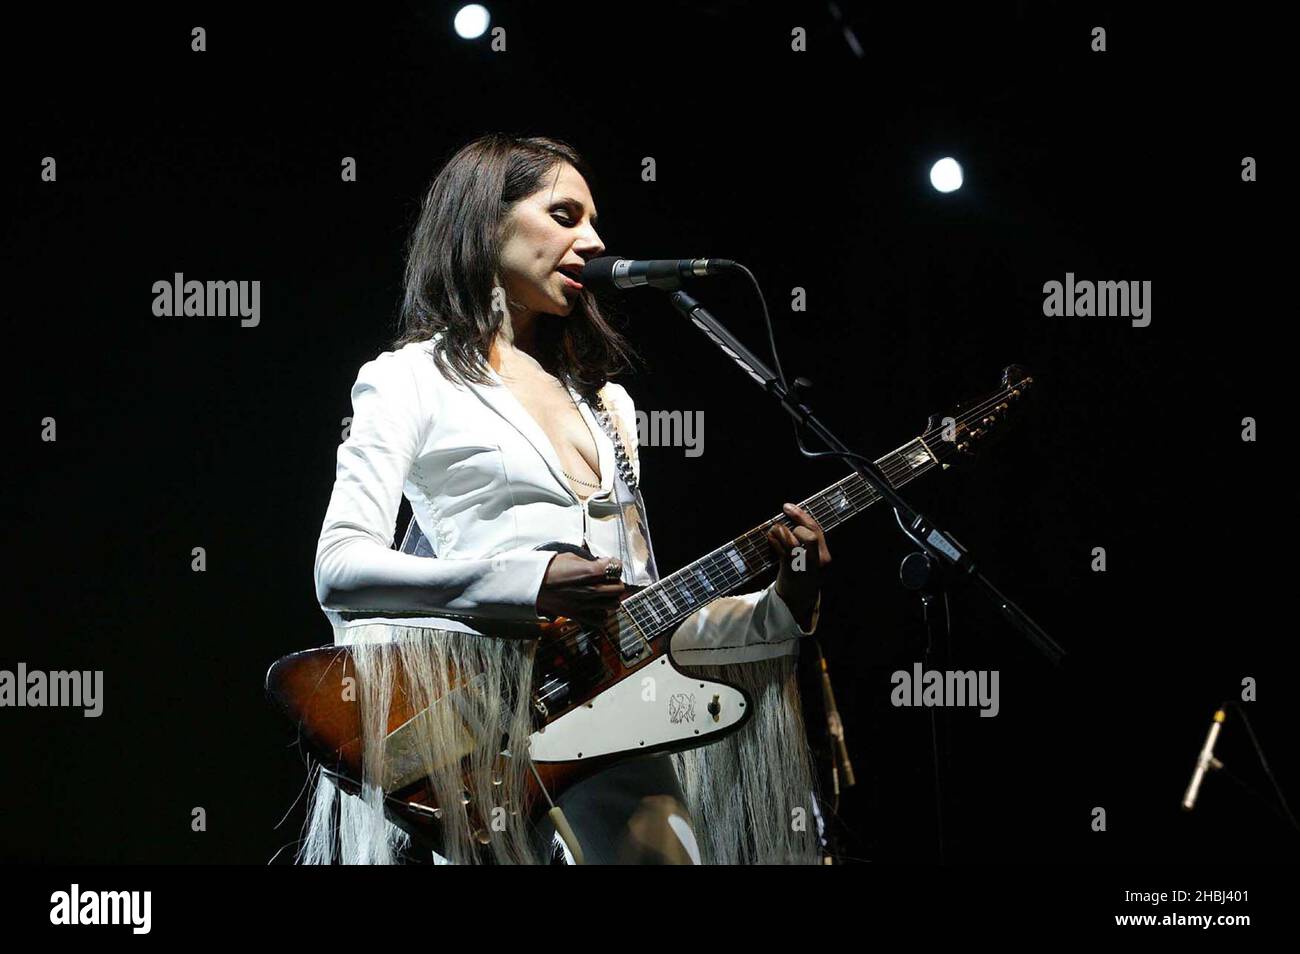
(588, 682)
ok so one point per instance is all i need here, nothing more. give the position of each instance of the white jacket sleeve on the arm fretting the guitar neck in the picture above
(731, 630)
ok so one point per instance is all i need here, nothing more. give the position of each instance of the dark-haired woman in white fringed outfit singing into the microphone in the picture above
(496, 418)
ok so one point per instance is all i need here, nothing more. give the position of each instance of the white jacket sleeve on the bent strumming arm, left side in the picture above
(357, 570)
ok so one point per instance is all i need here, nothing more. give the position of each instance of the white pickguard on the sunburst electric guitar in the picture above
(651, 708)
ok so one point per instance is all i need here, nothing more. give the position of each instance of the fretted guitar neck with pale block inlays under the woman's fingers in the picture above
(675, 597)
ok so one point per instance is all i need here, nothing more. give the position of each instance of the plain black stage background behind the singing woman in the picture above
(812, 170)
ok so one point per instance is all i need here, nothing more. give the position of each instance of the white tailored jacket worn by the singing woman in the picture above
(487, 488)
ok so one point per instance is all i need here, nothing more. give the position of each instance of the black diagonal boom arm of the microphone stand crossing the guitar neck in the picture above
(924, 532)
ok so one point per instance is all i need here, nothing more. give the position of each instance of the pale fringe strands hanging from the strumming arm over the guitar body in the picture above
(497, 704)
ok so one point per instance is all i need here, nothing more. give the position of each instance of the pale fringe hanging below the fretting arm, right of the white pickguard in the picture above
(743, 791)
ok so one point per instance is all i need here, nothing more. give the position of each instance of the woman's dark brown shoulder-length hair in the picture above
(454, 258)
